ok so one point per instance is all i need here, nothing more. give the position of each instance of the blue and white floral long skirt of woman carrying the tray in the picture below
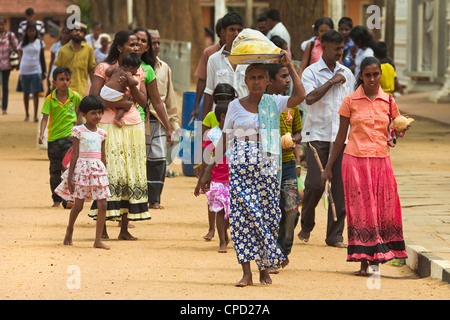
(254, 209)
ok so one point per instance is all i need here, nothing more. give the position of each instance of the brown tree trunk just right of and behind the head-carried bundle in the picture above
(298, 17)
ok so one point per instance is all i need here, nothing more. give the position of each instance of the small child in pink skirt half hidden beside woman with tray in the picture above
(218, 193)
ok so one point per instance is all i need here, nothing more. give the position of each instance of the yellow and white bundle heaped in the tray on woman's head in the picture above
(251, 41)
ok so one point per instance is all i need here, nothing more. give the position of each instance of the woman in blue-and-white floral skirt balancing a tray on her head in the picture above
(252, 123)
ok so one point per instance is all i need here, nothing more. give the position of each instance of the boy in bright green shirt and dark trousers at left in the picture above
(59, 111)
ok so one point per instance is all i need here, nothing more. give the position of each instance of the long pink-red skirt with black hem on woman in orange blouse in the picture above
(374, 216)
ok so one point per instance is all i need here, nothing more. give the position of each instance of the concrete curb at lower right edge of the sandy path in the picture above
(426, 264)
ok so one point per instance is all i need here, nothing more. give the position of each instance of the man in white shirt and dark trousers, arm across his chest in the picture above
(326, 83)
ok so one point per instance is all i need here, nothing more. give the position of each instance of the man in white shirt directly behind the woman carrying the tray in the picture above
(220, 69)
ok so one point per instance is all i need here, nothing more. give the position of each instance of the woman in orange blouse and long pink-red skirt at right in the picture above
(371, 199)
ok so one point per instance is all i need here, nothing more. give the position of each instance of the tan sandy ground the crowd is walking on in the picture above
(170, 261)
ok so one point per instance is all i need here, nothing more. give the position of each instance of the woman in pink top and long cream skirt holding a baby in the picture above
(125, 147)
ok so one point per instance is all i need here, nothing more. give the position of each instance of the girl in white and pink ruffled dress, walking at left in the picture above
(86, 178)
